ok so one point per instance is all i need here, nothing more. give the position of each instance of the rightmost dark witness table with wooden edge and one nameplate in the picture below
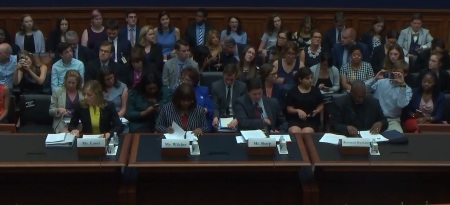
(424, 153)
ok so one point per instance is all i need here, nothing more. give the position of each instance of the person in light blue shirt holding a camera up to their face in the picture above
(392, 92)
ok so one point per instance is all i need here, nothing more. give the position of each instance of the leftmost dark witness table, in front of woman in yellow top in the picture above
(27, 163)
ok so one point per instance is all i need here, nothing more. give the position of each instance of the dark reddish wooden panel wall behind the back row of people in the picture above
(253, 19)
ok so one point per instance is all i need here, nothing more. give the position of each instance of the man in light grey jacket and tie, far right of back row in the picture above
(415, 39)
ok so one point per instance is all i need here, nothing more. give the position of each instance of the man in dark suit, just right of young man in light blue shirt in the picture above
(104, 61)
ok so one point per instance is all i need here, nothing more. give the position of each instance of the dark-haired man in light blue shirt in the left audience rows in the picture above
(67, 62)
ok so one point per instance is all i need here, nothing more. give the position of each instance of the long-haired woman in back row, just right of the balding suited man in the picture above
(374, 36)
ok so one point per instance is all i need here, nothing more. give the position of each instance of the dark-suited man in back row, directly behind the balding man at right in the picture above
(333, 35)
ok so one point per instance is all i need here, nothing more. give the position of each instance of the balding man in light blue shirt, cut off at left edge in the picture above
(8, 64)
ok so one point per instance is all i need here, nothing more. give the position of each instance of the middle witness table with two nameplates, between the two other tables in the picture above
(219, 153)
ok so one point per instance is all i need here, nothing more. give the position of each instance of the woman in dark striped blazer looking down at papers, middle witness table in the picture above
(184, 111)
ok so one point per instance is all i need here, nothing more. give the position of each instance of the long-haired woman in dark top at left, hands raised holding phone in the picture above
(30, 74)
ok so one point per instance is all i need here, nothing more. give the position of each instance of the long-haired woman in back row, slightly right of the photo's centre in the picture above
(269, 38)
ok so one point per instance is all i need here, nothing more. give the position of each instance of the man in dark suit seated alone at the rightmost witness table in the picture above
(357, 111)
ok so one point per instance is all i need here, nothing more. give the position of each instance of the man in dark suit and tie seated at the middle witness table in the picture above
(256, 111)
